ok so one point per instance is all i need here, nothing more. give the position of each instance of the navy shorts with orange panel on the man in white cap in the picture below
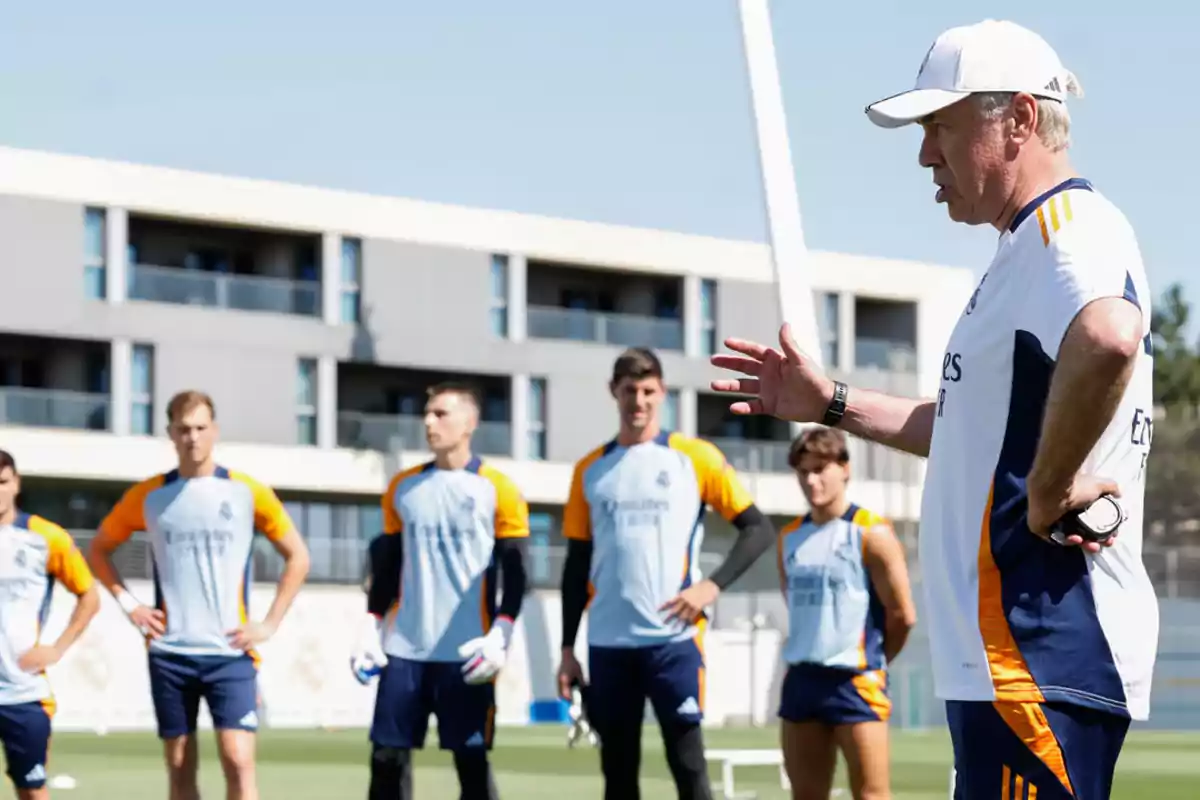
(1013, 751)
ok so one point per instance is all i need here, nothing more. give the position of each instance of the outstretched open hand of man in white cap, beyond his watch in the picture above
(782, 383)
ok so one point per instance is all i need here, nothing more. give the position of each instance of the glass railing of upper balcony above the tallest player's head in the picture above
(625, 330)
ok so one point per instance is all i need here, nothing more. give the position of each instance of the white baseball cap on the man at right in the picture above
(992, 56)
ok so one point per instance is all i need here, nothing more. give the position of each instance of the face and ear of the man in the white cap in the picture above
(973, 157)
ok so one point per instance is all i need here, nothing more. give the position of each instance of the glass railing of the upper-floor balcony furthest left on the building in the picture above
(219, 291)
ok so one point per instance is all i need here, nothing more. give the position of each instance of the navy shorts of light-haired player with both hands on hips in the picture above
(227, 684)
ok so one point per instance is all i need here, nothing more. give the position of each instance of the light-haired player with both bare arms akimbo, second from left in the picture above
(202, 520)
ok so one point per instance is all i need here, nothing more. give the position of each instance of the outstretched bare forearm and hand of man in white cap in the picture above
(785, 384)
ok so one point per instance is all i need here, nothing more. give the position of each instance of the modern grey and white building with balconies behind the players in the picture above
(316, 320)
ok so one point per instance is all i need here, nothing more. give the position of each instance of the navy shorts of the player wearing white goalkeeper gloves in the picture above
(410, 691)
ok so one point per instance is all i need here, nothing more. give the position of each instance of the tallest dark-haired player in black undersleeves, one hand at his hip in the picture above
(634, 524)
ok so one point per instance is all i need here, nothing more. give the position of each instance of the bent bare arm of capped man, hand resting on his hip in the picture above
(1096, 362)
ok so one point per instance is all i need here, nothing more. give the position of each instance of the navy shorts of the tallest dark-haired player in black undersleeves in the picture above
(622, 679)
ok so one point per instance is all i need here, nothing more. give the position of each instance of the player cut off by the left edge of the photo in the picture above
(34, 555)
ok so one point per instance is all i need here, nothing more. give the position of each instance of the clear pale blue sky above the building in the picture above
(629, 112)
